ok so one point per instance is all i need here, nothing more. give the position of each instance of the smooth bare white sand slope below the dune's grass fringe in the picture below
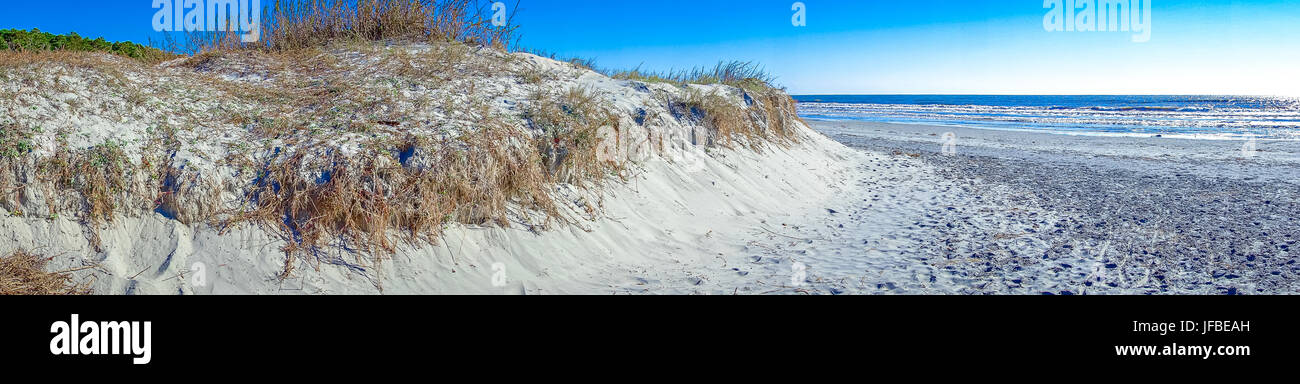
(668, 231)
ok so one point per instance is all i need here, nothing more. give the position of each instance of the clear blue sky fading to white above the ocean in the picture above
(872, 46)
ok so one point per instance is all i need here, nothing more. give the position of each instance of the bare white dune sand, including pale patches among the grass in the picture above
(691, 221)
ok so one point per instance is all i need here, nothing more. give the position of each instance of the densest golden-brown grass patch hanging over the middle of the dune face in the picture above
(410, 193)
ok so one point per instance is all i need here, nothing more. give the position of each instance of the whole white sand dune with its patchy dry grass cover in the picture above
(670, 202)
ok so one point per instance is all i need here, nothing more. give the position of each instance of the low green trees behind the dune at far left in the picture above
(36, 41)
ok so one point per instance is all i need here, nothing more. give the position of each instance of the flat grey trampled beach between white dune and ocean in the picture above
(1043, 214)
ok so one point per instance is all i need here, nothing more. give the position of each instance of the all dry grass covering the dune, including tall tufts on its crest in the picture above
(401, 188)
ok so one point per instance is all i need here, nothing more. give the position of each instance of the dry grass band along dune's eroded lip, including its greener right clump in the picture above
(414, 187)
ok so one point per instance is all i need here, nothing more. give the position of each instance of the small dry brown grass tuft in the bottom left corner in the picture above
(25, 274)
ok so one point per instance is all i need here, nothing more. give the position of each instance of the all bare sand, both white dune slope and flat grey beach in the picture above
(843, 209)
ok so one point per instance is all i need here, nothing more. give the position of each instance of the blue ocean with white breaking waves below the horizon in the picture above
(1214, 118)
